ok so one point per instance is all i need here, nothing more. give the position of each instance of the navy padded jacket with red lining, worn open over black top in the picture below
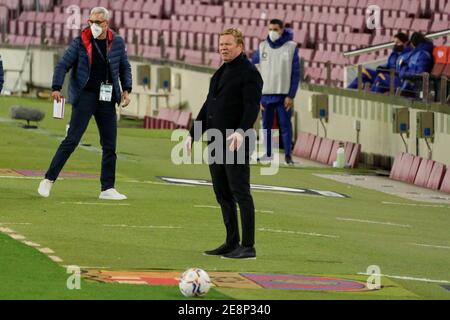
(79, 57)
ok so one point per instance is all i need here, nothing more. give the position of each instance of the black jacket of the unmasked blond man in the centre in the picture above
(233, 101)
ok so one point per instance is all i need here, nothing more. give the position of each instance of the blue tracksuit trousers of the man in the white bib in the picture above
(285, 125)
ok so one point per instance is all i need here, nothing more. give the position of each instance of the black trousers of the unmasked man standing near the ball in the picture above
(232, 185)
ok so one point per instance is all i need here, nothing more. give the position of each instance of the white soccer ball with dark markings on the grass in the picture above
(194, 282)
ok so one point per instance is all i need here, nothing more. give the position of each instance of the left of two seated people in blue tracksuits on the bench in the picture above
(377, 76)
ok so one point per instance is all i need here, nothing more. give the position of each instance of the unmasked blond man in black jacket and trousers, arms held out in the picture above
(232, 108)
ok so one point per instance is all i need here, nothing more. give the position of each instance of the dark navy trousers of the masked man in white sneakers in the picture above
(106, 119)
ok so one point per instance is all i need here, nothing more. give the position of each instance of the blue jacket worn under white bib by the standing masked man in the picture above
(295, 77)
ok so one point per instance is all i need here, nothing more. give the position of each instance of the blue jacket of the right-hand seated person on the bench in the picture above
(419, 60)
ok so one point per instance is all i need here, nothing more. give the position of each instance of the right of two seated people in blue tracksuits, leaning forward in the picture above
(418, 61)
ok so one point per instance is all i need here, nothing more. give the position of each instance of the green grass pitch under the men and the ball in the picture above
(83, 234)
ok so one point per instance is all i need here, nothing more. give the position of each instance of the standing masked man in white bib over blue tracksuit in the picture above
(279, 64)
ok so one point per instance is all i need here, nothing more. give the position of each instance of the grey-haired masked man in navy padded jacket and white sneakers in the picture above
(98, 59)
